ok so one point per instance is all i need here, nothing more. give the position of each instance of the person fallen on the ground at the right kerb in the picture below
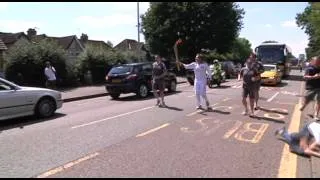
(306, 142)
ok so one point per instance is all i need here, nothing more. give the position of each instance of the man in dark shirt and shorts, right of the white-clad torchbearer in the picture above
(249, 76)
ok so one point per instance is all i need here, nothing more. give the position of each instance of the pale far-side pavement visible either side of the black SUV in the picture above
(93, 91)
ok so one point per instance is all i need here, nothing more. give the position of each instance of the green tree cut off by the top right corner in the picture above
(309, 20)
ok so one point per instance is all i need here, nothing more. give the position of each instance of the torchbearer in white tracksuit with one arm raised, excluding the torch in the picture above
(202, 73)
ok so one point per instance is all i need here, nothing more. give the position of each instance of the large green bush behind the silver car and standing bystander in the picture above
(29, 60)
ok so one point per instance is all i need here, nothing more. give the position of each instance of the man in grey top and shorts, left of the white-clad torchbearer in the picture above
(159, 71)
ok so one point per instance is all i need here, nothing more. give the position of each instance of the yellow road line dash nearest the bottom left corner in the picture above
(66, 166)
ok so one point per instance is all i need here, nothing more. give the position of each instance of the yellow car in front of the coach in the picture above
(271, 75)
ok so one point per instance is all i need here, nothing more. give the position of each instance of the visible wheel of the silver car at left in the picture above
(45, 108)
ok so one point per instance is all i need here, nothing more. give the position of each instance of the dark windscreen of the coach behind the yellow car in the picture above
(271, 54)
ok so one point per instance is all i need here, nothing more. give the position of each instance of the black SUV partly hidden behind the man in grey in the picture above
(135, 78)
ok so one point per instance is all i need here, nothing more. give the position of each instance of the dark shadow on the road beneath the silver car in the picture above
(25, 121)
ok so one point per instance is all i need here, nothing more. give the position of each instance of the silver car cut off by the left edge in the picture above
(17, 101)
